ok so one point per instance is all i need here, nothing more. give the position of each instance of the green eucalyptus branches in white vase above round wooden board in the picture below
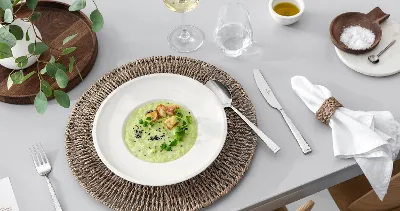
(54, 68)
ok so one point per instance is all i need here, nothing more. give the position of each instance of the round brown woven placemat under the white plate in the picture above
(200, 191)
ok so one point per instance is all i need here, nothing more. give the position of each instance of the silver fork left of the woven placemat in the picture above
(43, 168)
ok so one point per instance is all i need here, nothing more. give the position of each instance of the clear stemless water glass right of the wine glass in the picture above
(233, 33)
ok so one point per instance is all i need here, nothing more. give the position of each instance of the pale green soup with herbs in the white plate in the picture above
(151, 140)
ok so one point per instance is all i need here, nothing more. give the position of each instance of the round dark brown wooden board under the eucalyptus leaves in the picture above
(55, 23)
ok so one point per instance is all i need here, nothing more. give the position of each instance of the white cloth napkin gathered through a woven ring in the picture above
(371, 138)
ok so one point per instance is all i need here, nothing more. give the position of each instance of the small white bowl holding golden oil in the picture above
(286, 20)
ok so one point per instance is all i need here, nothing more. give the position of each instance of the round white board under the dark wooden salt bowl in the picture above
(389, 62)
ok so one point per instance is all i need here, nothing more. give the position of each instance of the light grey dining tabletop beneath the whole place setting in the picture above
(138, 28)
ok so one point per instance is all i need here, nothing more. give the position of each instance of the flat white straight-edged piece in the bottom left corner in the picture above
(7, 198)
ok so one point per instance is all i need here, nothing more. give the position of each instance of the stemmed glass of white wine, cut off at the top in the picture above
(184, 38)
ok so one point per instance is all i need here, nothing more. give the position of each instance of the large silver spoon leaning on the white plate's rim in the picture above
(225, 98)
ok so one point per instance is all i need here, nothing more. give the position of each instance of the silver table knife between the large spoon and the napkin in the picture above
(273, 102)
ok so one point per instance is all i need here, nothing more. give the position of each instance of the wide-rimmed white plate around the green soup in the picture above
(110, 119)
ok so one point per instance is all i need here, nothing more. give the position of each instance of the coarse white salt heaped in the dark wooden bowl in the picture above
(357, 37)
